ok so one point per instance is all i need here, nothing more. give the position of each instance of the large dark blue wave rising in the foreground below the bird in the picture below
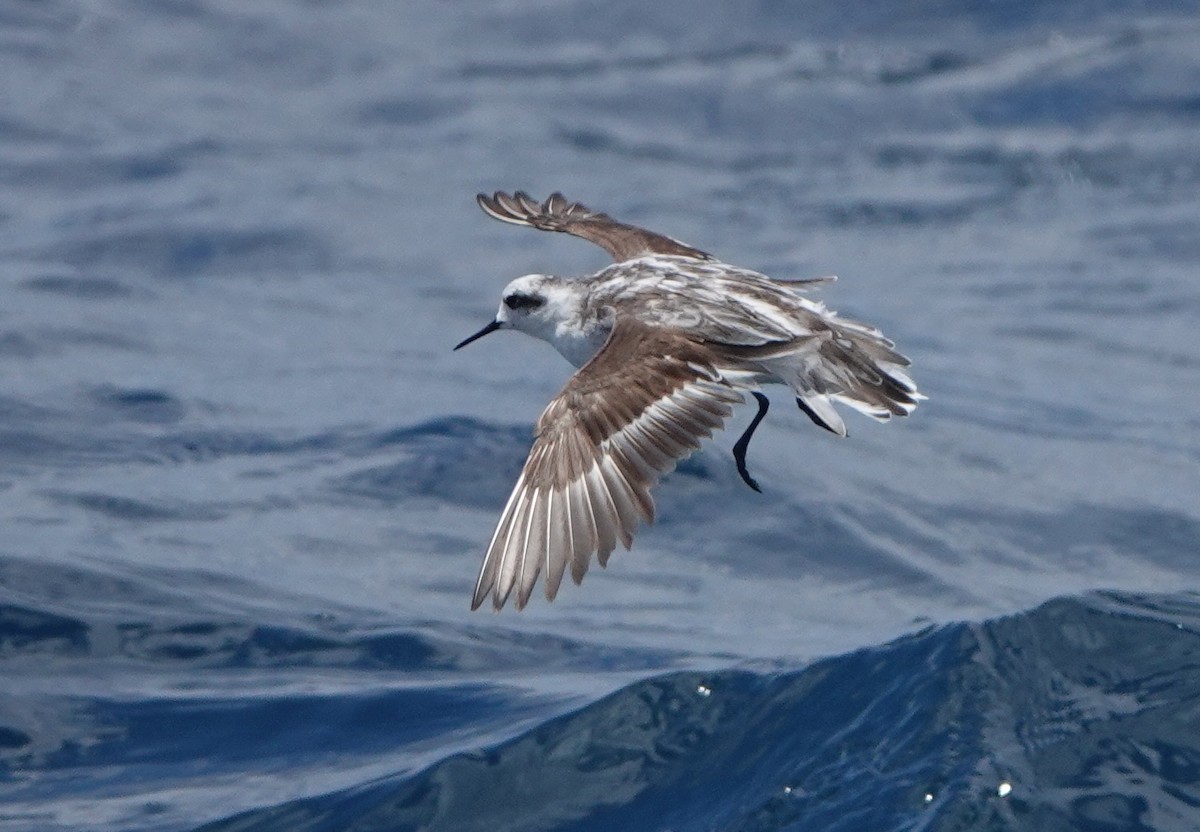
(1073, 716)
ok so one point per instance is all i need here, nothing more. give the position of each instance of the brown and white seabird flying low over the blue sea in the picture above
(667, 340)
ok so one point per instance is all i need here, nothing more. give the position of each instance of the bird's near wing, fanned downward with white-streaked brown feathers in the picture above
(628, 416)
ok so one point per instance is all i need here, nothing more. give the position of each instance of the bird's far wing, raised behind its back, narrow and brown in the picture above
(625, 243)
